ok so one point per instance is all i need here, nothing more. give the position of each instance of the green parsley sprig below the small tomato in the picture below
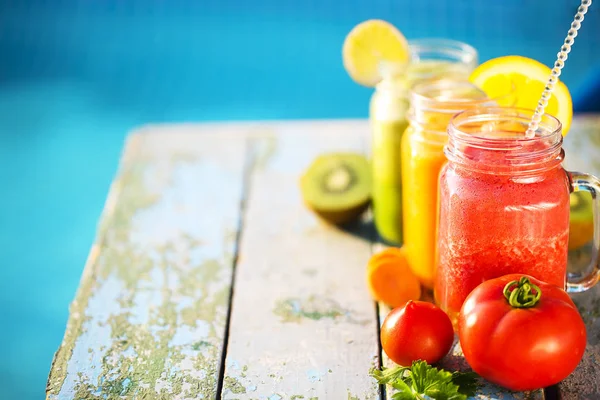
(422, 380)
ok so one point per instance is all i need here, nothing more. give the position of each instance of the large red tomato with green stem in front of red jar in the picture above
(521, 333)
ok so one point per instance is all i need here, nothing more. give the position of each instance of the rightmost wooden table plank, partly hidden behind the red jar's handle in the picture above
(582, 151)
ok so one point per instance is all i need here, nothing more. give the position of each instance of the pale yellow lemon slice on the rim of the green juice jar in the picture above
(369, 43)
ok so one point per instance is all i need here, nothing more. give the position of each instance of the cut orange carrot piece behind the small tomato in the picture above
(390, 279)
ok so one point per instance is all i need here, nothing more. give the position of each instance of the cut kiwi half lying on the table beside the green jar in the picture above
(337, 186)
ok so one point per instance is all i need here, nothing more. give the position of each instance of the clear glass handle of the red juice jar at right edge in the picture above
(579, 282)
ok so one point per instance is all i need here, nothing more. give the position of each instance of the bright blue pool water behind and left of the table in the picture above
(75, 76)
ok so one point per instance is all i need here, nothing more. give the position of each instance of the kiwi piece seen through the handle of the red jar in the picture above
(581, 220)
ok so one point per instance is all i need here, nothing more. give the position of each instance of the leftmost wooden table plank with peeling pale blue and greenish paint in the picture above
(148, 320)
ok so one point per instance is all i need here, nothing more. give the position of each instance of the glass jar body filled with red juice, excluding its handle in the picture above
(504, 204)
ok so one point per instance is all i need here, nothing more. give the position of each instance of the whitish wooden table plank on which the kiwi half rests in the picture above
(303, 325)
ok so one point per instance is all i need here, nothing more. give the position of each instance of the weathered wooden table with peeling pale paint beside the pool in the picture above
(210, 279)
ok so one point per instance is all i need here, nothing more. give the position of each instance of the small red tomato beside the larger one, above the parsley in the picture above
(416, 331)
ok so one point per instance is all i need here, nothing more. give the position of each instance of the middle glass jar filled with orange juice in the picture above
(422, 158)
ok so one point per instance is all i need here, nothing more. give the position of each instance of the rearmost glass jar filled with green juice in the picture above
(429, 59)
